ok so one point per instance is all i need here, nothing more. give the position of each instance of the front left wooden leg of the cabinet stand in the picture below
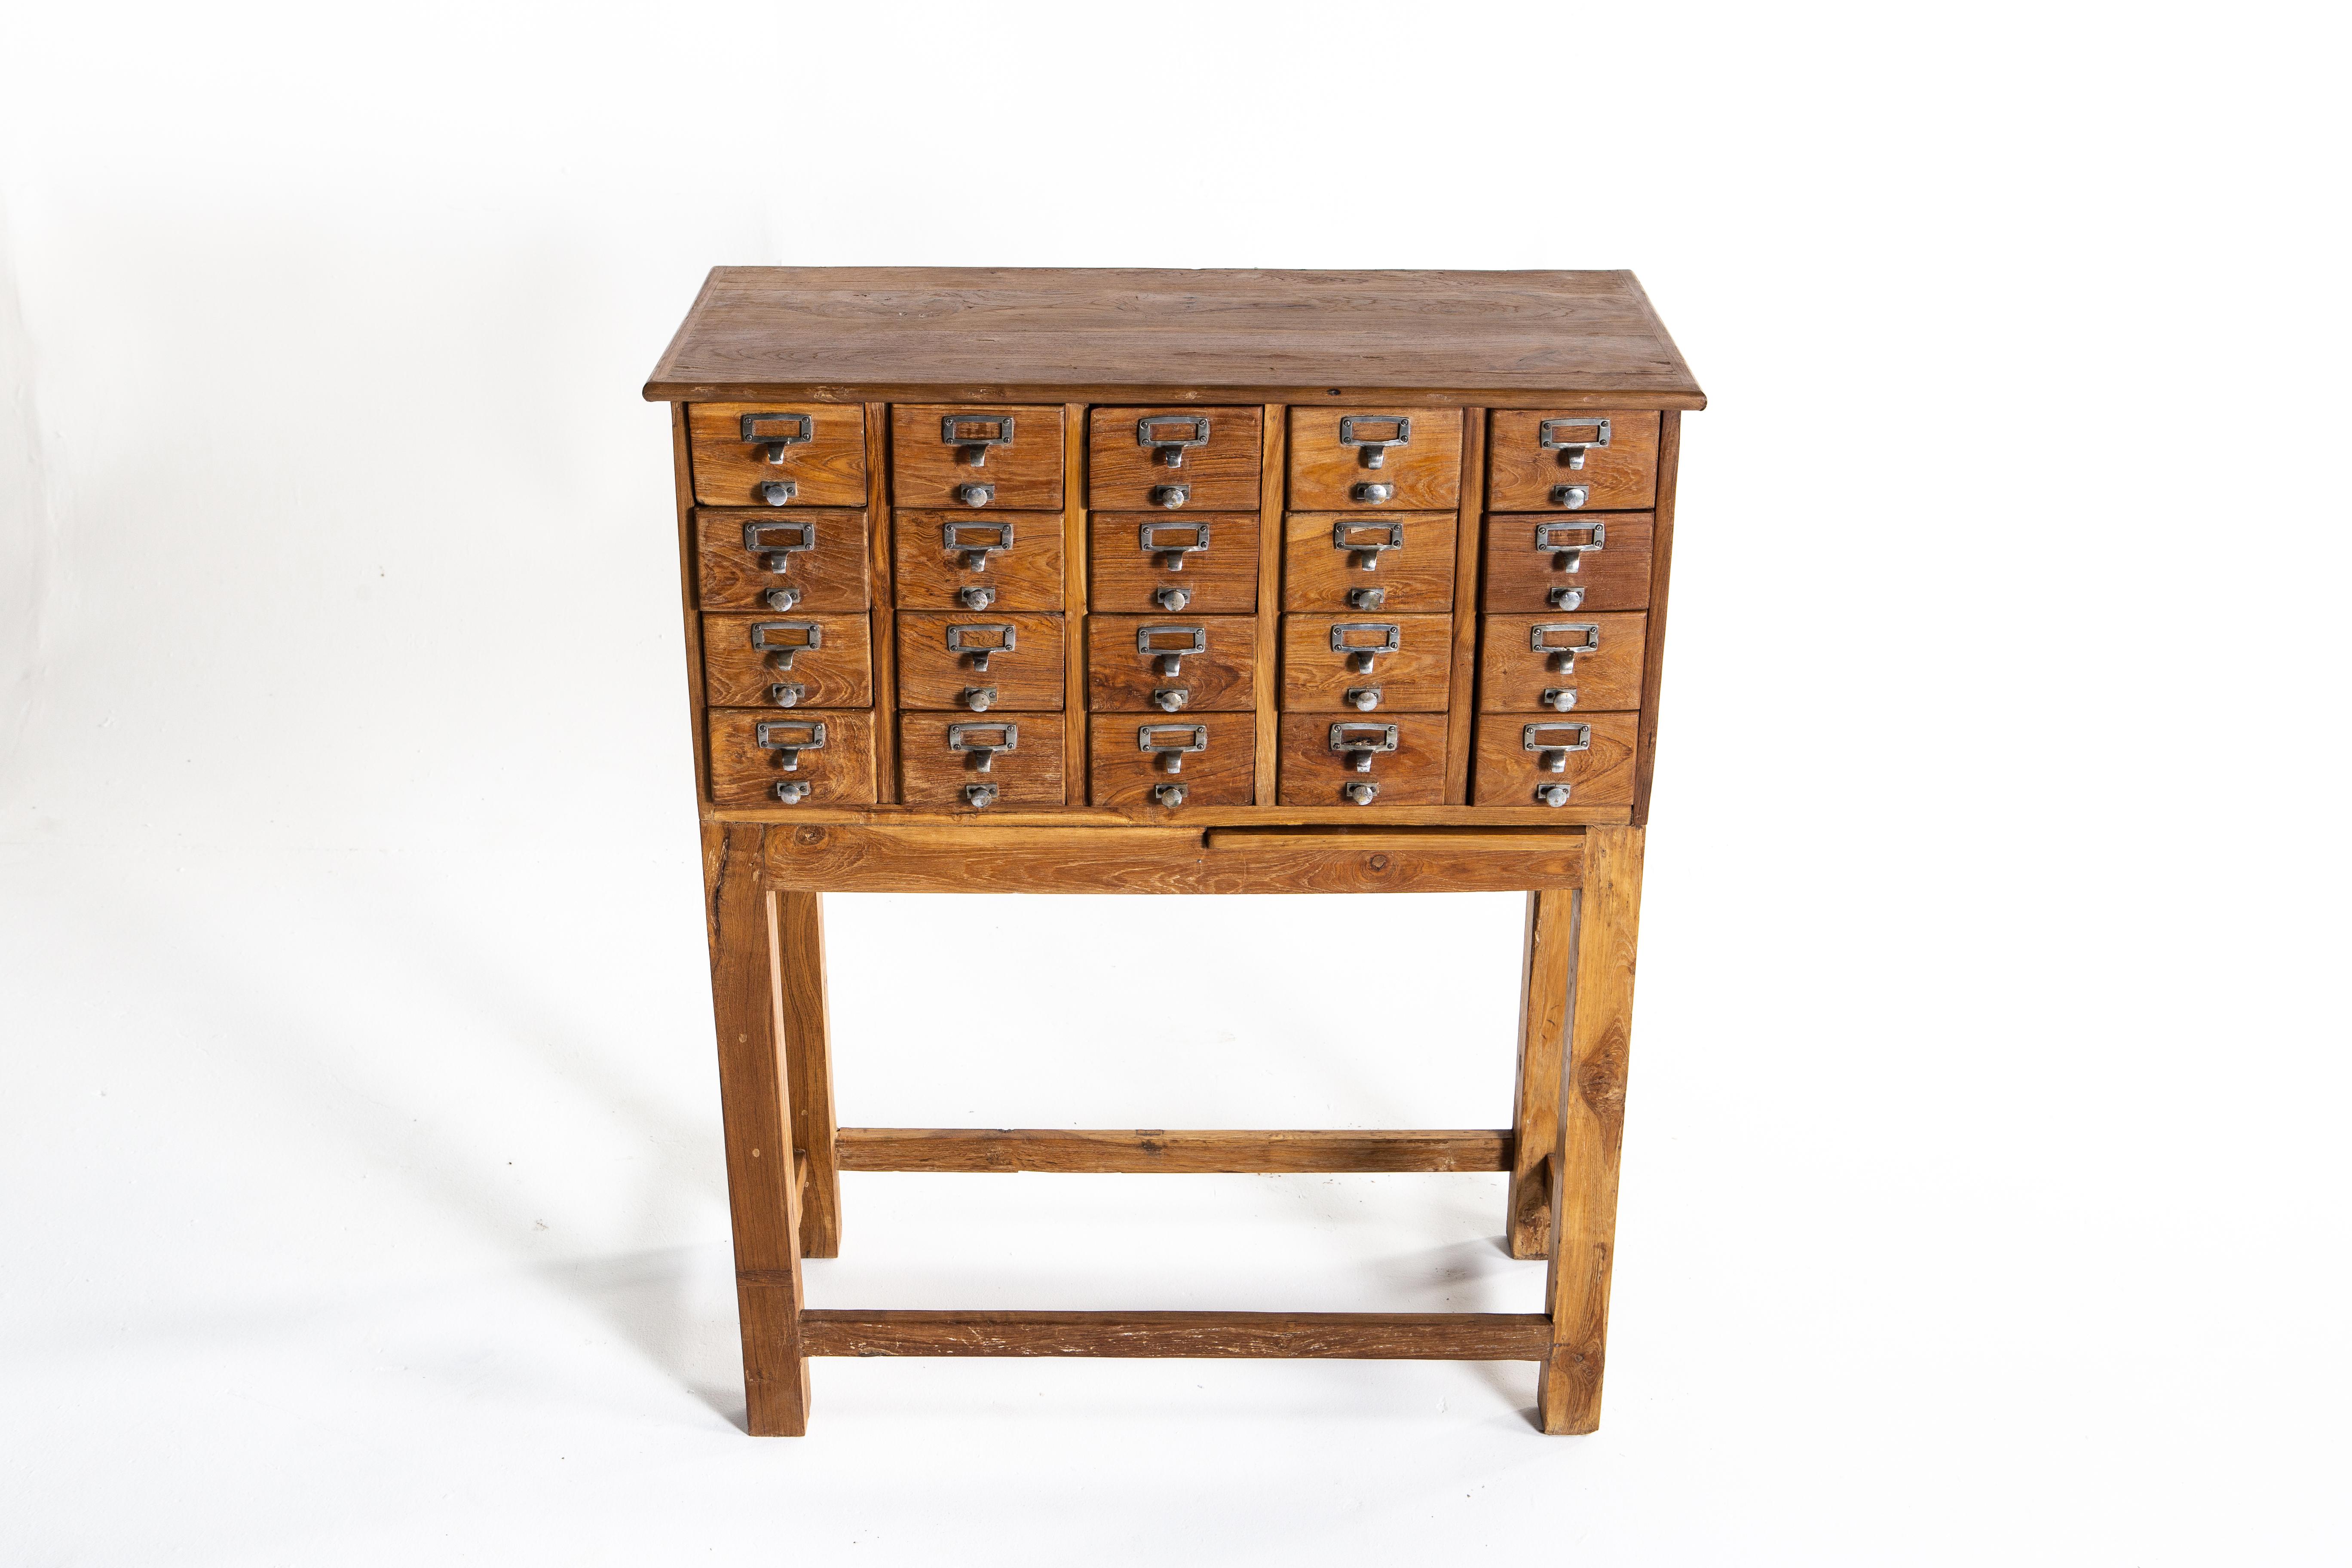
(756, 1101)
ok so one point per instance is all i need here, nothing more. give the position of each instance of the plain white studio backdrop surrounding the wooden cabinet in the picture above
(359, 1139)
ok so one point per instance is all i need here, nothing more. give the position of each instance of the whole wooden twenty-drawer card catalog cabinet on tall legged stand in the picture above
(1156, 582)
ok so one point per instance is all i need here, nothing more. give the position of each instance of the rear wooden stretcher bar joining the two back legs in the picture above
(1151, 1151)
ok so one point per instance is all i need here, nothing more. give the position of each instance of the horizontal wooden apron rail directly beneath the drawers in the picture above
(1027, 859)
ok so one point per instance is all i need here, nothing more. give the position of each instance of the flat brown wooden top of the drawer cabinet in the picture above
(1128, 335)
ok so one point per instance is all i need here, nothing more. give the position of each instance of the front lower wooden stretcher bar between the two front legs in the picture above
(1351, 1336)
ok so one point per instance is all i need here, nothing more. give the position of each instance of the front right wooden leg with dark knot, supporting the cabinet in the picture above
(1591, 1132)
